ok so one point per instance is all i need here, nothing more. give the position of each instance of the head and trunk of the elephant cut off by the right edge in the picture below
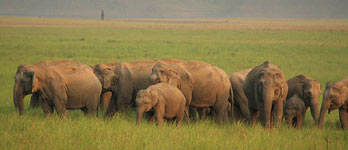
(334, 97)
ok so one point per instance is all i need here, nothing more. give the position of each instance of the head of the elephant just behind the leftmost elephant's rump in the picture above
(106, 76)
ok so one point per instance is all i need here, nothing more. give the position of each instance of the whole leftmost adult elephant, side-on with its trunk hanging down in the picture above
(62, 85)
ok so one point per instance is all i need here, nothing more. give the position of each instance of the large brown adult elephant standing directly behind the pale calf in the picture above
(203, 85)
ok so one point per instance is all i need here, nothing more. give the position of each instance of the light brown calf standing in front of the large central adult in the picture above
(165, 100)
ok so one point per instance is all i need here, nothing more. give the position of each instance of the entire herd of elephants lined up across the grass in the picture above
(178, 90)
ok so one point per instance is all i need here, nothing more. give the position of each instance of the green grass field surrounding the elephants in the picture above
(316, 48)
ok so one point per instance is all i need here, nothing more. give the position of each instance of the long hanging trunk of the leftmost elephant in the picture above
(18, 97)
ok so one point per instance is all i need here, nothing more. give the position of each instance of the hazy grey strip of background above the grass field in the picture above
(303, 9)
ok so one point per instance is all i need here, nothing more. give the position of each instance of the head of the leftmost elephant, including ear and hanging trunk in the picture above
(26, 82)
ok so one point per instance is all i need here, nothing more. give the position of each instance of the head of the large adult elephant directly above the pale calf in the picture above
(163, 73)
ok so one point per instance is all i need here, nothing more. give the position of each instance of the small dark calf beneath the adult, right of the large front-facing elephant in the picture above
(295, 111)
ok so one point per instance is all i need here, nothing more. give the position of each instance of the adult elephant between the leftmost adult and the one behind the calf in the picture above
(128, 79)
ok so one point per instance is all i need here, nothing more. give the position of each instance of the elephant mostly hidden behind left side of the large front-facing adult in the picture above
(240, 104)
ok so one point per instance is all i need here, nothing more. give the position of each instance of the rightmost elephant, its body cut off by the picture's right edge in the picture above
(335, 96)
